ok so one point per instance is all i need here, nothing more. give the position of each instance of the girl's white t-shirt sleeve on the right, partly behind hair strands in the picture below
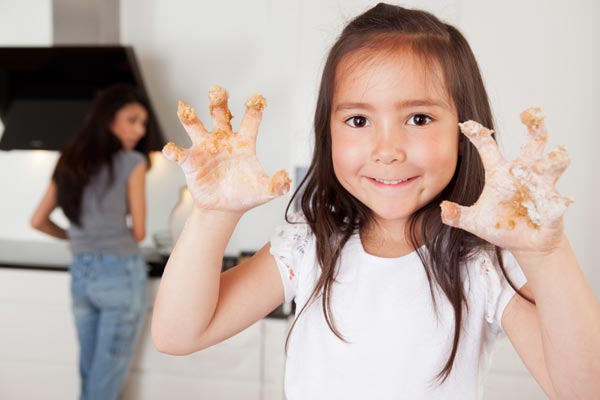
(498, 290)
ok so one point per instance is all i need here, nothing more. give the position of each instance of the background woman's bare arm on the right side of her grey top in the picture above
(136, 197)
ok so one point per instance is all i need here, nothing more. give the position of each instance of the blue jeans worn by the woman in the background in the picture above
(109, 304)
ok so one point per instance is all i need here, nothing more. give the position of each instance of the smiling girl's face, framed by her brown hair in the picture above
(394, 133)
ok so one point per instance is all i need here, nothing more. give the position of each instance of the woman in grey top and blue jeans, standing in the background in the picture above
(98, 180)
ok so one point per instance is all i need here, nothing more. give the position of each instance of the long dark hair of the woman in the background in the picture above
(93, 146)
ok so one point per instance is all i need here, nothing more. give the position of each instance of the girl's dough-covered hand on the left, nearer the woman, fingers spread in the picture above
(221, 168)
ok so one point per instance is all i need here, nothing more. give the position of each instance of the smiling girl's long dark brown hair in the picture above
(334, 215)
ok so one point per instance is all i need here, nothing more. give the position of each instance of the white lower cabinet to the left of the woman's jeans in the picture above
(38, 350)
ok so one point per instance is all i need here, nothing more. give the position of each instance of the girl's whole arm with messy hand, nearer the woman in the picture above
(196, 305)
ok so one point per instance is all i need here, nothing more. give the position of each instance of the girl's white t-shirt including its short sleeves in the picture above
(396, 344)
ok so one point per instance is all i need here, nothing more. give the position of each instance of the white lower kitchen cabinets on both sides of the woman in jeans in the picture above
(38, 351)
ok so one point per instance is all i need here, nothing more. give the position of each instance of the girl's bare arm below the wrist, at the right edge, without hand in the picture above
(558, 339)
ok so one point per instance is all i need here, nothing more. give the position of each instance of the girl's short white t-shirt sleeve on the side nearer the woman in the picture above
(288, 245)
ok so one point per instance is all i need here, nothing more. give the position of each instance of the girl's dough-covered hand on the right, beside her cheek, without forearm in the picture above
(519, 208)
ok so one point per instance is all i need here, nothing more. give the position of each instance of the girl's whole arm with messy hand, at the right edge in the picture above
(521, 211)
